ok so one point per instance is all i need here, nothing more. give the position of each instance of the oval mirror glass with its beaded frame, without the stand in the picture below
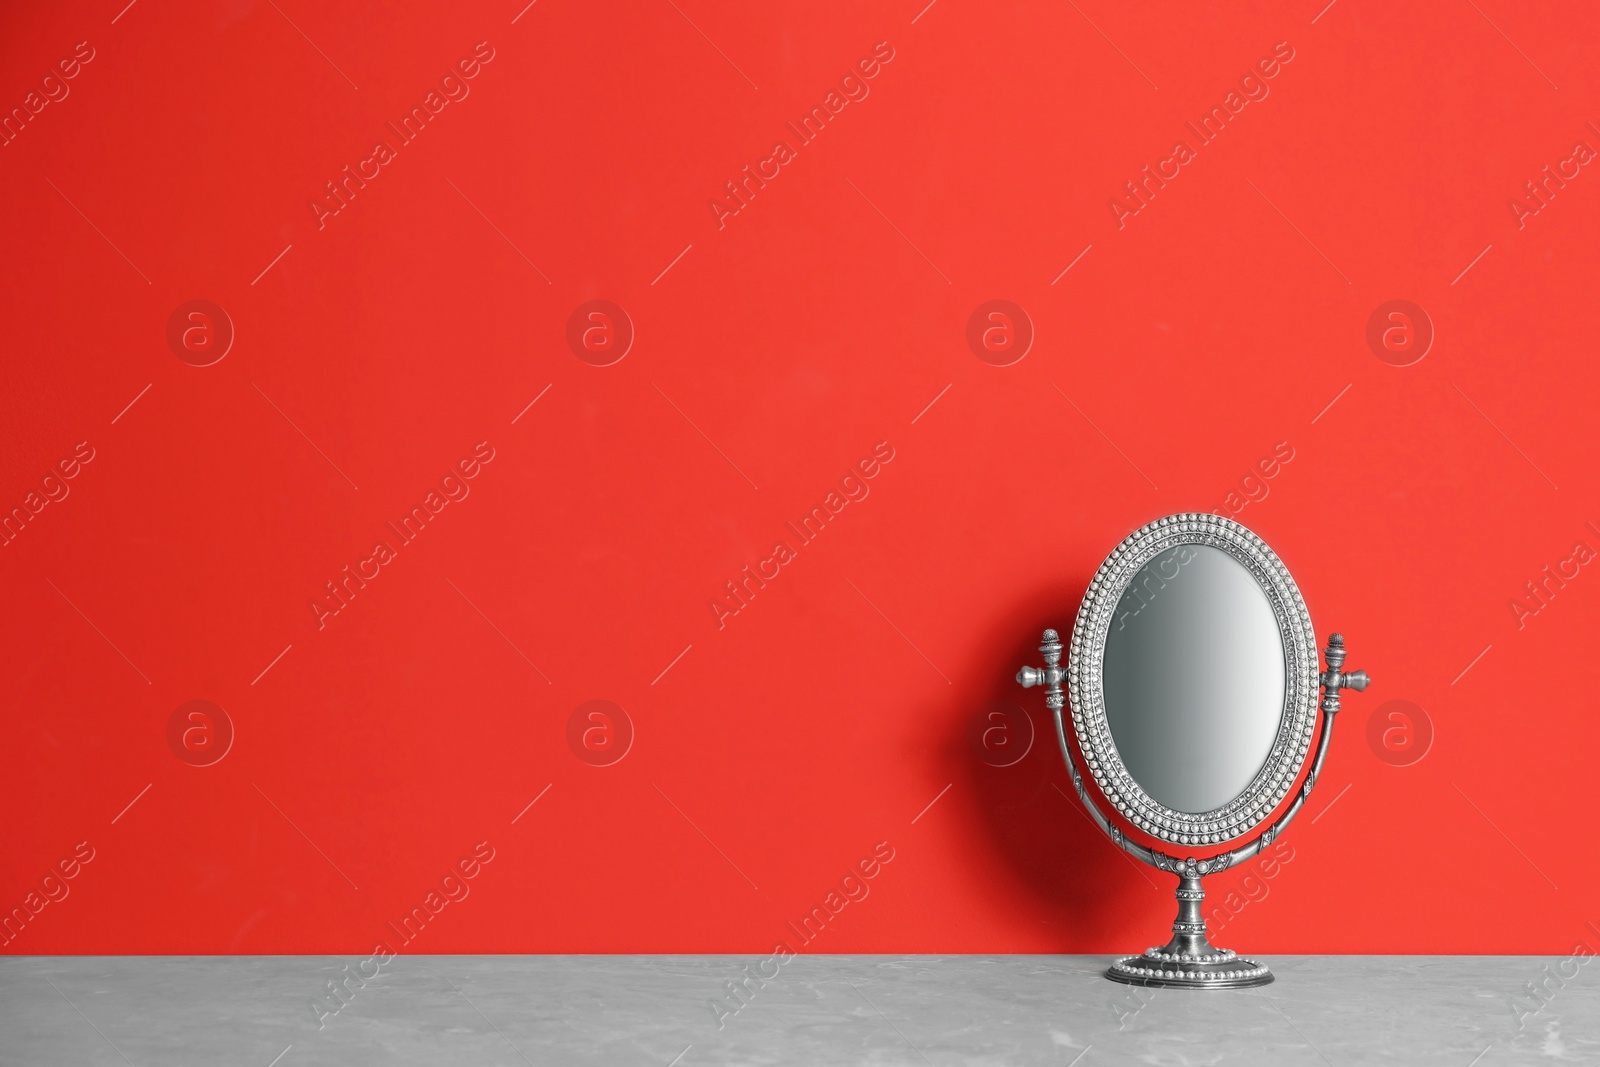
(1194, 679)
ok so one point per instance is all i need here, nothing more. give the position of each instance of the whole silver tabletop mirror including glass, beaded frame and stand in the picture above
(1193, 681)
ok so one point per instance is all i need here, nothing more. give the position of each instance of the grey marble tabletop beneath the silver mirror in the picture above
(279, 1012)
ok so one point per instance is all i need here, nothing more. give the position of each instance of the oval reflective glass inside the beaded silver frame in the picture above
(1194, 679)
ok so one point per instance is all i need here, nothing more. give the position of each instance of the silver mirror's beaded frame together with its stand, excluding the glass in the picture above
(1190, 961)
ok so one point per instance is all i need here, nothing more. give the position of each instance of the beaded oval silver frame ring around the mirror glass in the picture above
(1087, 697)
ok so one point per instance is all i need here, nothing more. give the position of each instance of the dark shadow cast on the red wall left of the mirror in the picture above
(1095, 895)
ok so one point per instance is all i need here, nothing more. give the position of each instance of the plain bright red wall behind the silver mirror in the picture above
(775, 350)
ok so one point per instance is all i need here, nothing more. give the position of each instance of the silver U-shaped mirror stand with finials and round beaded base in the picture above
(1190, 961)
